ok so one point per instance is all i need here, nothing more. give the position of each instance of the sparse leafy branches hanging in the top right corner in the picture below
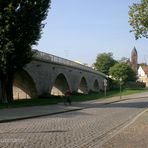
(138, 19)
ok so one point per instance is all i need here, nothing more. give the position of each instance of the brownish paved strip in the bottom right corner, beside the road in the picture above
(134, 136)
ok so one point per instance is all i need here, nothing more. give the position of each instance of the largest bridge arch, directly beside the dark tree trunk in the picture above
(23, 86)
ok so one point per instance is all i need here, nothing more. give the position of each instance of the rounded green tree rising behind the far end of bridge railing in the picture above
(104, 61)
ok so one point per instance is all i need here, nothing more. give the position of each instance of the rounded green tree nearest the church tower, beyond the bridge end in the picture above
(122, 71)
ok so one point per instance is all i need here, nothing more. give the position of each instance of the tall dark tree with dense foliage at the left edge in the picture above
(20, 28)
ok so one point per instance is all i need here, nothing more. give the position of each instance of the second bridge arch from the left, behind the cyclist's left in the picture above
(60, 85)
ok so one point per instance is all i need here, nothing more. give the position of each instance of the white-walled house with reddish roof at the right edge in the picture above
(143, 74)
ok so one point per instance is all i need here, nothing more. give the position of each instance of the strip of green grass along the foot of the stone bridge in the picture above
(55, 100)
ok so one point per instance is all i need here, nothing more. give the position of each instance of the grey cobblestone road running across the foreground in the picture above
(85, 128)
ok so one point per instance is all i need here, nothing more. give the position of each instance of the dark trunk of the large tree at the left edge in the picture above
(6, 87)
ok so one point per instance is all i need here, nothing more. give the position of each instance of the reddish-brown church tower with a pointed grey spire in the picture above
(134, 59)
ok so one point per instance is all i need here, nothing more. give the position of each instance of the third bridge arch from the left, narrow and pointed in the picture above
(83, 86)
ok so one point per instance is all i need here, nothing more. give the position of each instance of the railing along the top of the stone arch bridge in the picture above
(55, 59)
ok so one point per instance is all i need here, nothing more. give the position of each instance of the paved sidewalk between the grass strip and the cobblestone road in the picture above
(12, 114)
